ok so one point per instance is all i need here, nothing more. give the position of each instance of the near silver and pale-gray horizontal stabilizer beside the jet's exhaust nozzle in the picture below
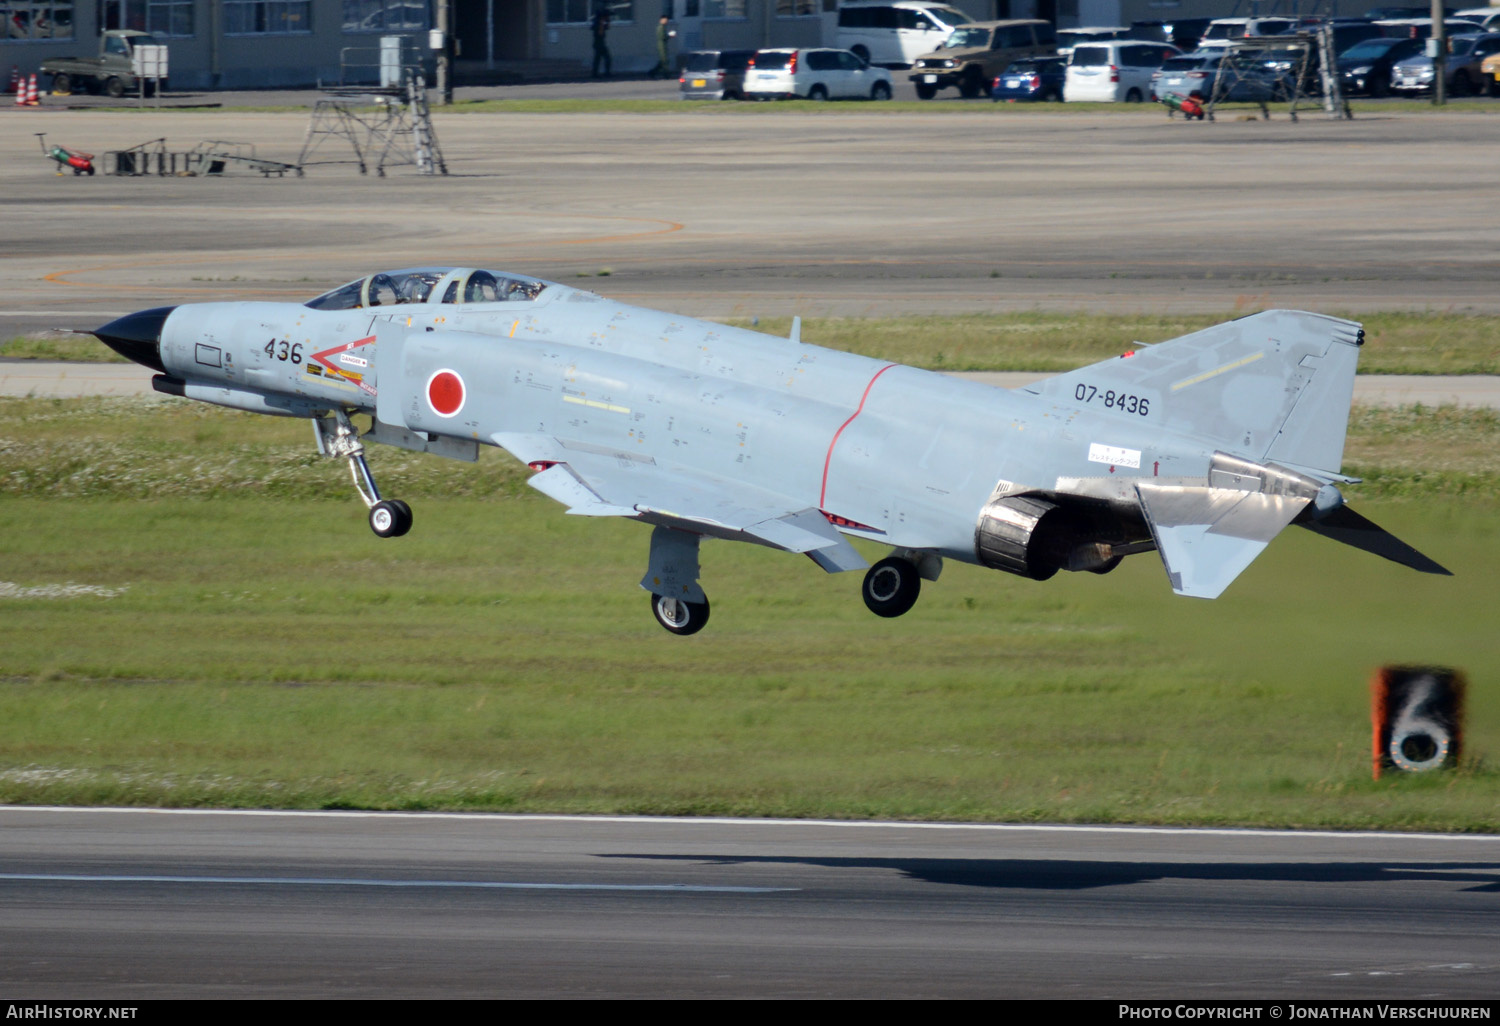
(1208, 536)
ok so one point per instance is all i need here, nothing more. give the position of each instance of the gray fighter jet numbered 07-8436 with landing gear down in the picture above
(1201, 449)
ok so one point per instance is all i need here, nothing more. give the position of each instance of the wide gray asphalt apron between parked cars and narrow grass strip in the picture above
(847, 209)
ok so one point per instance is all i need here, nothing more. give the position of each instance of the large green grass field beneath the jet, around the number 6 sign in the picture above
(194, 613)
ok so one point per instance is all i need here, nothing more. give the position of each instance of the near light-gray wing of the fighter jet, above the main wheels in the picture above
(595, 481)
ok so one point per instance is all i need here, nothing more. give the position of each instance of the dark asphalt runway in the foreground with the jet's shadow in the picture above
(149, 904)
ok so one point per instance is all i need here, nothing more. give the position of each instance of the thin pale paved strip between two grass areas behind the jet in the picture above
(68, 380)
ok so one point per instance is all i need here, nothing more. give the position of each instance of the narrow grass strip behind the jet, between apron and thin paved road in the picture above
(1423, 343)
